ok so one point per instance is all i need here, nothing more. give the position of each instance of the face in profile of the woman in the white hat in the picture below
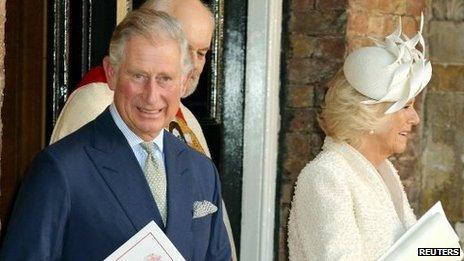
(392, 137)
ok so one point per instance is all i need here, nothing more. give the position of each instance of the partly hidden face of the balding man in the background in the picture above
(198, 29)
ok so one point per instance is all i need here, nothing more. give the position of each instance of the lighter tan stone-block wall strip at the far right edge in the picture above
(441, 171)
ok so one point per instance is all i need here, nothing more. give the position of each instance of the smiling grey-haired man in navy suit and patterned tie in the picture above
(87, 194)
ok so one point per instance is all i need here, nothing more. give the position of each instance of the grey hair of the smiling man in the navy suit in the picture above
(150, 24)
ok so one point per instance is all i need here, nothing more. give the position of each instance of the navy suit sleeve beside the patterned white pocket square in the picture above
(219, 246)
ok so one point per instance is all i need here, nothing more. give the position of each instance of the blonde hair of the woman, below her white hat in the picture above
(344, 117)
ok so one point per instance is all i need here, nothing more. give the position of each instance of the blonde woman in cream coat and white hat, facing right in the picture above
(349, 202)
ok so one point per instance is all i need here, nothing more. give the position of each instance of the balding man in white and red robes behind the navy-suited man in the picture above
(93, 95)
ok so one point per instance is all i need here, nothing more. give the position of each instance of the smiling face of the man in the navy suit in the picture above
(148, 85)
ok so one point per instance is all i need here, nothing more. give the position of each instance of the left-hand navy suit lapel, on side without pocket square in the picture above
(116, 163)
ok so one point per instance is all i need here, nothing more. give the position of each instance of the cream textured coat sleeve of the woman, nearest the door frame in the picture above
(322, 223)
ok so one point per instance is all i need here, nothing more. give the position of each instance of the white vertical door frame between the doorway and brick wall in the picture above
(261, 127)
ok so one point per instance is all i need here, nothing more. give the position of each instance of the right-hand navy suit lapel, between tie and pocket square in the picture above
(180, 195)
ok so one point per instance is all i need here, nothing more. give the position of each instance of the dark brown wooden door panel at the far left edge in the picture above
(23, 112)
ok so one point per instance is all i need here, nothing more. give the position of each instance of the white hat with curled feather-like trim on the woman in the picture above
(392, 71)
